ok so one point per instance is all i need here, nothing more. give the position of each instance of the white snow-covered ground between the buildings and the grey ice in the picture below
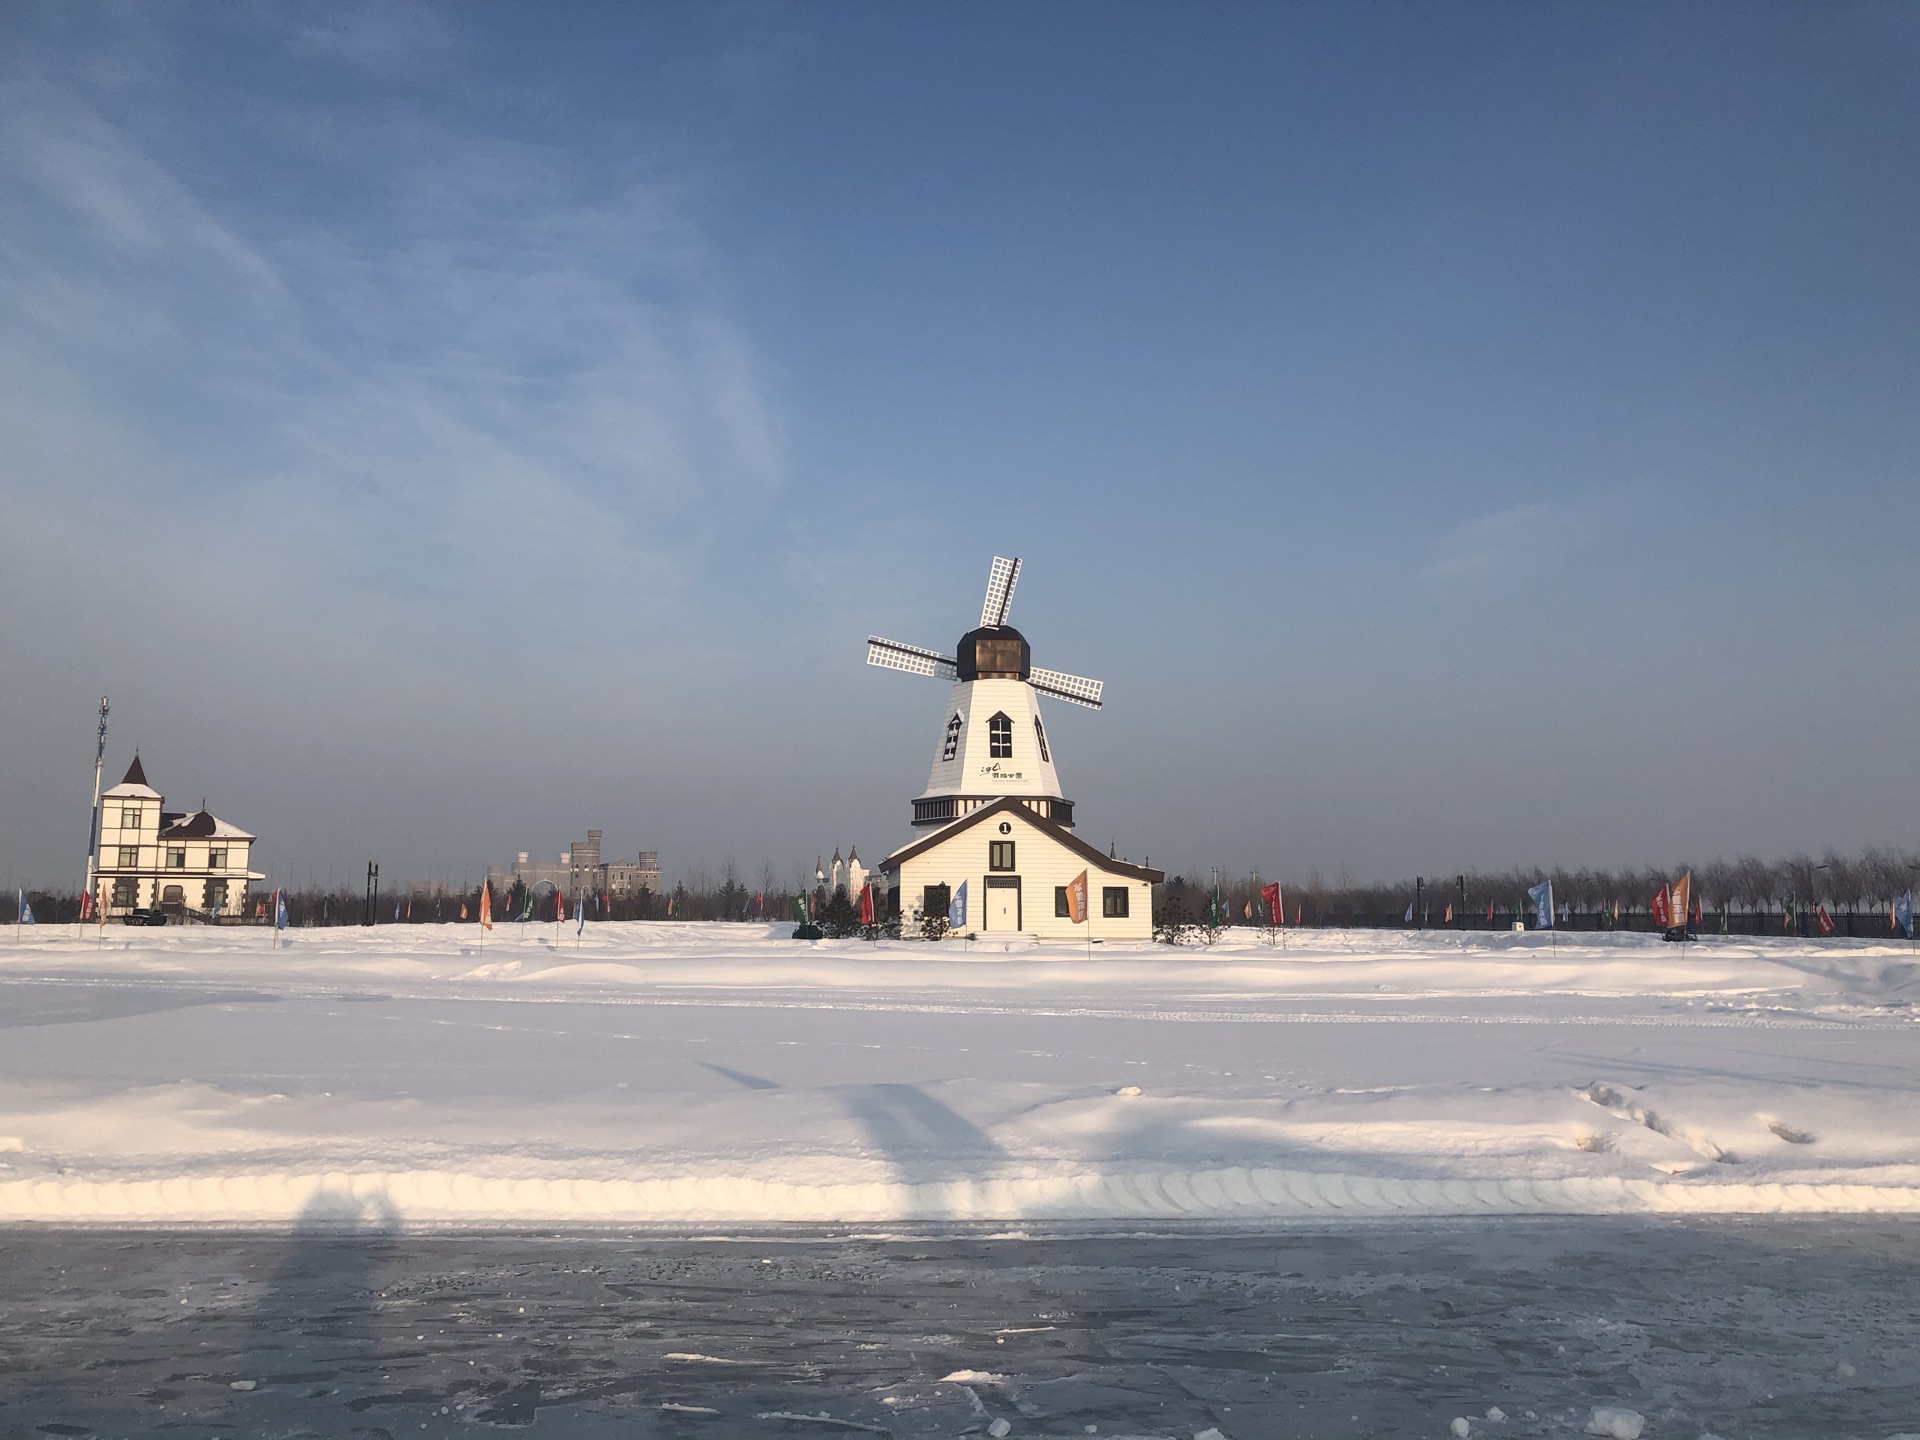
(731, 1076)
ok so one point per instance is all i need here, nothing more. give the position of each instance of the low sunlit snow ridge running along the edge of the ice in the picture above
(454, 1199)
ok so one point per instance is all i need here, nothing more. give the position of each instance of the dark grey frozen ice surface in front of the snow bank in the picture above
(1719, 1326)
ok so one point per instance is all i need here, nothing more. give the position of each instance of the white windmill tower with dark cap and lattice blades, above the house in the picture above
(994, 744)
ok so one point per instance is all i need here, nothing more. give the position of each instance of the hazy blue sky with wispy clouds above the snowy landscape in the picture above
(1456, 435)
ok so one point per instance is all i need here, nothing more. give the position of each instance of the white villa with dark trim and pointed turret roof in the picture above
(156, 859)
